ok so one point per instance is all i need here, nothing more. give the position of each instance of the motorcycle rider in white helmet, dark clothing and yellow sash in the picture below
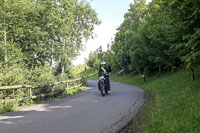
(106, 70)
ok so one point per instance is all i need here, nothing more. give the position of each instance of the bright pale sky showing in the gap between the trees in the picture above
(111, 14)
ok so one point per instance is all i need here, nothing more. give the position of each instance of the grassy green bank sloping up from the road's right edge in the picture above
(172, 103)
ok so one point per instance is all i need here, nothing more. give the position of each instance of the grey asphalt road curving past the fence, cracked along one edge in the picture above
(86, 112)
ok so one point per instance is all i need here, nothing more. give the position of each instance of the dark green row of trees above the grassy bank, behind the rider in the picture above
(161, 35)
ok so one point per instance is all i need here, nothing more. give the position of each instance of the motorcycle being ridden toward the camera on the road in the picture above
(103, 86)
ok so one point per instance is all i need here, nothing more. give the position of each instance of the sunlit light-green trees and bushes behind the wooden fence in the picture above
(39, 38)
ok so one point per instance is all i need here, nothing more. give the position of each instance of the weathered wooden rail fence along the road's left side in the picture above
(52, 93)
